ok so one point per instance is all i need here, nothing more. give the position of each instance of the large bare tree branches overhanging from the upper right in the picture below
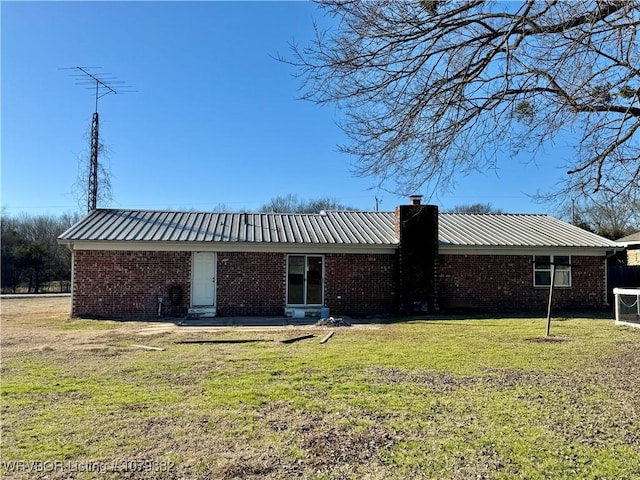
(435, 89)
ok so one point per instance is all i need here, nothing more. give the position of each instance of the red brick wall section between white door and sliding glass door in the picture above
(251, 283)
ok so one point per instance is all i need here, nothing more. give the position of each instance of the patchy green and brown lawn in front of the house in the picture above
(463, 399)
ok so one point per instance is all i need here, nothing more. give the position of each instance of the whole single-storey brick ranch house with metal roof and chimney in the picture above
(136, 264)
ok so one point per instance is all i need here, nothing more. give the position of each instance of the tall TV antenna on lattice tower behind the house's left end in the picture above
(102, 84)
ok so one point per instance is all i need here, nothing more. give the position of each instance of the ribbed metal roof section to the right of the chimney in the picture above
(514, 230)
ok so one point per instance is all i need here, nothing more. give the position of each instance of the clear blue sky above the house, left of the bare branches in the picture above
(215, 119)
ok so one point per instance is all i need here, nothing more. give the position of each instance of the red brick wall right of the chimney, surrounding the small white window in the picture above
(497, 283)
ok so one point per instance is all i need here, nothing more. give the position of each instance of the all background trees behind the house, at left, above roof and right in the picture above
(33, 261)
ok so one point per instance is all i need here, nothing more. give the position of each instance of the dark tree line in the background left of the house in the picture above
(31, 256)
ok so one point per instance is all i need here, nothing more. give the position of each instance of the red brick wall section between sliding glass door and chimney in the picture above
(360, 284)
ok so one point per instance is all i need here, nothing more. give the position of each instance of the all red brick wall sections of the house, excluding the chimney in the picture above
(126, 283)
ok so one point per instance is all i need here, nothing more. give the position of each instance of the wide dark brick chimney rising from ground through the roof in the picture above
(417, 232)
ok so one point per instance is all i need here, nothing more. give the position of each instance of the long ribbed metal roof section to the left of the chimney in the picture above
(345, 228)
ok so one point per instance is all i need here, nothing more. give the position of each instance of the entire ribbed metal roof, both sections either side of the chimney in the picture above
(327, 228)
